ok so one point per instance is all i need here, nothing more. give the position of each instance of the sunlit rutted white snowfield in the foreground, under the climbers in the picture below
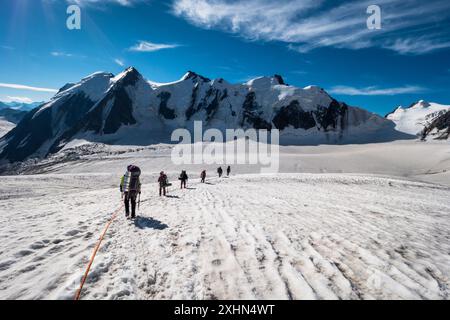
(290, 236)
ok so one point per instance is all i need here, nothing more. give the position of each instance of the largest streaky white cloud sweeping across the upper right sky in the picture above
(309, 24)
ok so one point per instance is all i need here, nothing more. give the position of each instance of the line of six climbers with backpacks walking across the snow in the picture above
(130, 186)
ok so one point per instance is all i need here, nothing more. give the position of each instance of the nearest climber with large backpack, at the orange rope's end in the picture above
(130, 187)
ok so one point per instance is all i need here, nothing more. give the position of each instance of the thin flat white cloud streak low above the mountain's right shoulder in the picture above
(376, 91)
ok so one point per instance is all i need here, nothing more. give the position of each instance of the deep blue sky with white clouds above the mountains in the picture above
(325, 43)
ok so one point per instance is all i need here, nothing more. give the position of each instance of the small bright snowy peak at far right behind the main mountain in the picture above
(418, 118)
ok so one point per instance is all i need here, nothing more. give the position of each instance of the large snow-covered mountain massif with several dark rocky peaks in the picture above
(127, 109)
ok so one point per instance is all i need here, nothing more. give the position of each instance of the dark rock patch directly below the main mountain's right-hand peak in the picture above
(293, 115)
